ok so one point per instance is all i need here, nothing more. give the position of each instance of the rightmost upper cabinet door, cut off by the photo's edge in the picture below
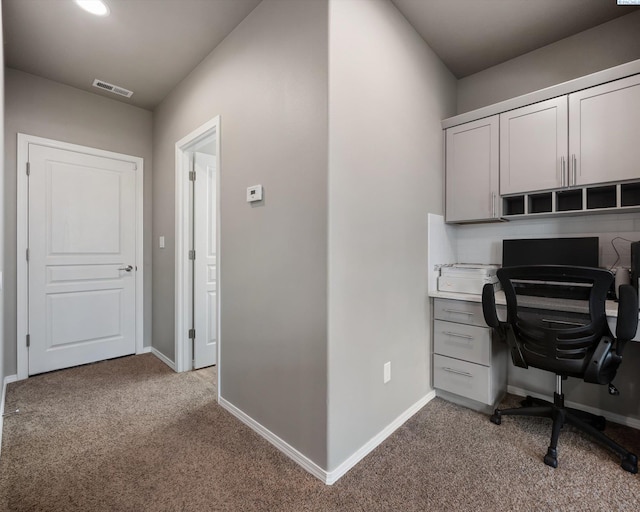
(604, 123)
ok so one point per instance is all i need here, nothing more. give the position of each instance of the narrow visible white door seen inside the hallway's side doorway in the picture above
(205, 286)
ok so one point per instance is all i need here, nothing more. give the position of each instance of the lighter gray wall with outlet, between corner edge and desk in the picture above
(388, 94)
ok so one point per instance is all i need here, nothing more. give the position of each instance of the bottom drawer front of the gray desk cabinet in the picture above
(462, 378)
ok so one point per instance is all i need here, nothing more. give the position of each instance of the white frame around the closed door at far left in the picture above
(22, 273)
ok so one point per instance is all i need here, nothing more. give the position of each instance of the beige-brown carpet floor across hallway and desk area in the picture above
(132, 435)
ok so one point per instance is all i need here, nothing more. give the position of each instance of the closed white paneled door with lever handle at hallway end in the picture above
(82, 257)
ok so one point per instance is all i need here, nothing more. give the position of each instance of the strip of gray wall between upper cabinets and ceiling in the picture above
(607, 45)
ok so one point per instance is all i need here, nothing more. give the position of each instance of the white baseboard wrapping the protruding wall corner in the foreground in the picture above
(328, 477)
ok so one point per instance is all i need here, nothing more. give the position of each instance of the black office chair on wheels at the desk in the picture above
(580, 345)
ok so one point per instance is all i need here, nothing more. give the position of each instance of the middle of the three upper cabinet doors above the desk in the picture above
(533, 147)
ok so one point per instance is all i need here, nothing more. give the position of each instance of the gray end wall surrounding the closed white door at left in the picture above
(43, 108)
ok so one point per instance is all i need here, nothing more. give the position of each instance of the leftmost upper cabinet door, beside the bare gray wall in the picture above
(472, 171)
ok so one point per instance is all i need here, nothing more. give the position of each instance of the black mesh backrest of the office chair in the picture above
(547, 337)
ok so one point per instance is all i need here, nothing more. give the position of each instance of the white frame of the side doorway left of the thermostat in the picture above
(183, 288)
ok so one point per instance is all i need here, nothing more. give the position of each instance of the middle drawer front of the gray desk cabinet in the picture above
(462, 341)
